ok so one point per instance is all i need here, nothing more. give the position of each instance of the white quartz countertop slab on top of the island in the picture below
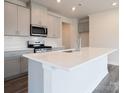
(69, 60)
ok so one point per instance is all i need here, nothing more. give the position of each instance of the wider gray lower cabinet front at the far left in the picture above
(11, 66)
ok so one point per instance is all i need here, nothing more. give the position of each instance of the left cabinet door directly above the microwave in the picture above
(35, 14)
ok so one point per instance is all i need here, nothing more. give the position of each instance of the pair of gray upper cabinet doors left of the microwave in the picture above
(17, 20)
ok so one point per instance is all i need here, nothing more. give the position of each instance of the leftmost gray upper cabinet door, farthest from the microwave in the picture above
(10, 19)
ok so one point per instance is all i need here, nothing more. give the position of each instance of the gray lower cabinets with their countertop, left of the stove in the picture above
(15, 64)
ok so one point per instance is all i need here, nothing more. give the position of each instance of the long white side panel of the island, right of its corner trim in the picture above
(81, 80)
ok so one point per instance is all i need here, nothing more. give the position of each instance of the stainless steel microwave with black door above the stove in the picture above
(38, 31)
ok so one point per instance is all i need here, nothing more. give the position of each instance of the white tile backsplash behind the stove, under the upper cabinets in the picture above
(20, 43)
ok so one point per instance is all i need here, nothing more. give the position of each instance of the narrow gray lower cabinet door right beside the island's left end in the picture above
(24, 65)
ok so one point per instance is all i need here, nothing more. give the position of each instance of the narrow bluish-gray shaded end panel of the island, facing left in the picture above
(35, 77)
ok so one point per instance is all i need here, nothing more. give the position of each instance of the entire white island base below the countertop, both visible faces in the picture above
(47, 79)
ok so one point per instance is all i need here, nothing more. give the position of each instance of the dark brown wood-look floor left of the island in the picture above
(17, 85)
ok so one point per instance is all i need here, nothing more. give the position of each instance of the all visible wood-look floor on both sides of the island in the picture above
(110, 83)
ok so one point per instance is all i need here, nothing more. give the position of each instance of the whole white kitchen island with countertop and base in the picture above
(67, 71)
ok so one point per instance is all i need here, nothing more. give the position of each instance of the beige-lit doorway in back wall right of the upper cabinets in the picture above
(66, 35)
